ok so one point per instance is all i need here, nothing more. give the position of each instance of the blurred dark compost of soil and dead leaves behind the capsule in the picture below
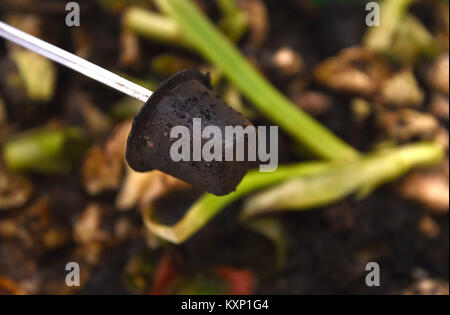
(68, 195)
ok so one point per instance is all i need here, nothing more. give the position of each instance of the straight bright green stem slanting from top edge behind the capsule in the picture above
(215, 47)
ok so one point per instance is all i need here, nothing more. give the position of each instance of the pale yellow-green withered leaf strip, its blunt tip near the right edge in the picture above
(361, 176)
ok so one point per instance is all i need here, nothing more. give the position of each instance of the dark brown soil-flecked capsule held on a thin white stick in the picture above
(177, 101)
